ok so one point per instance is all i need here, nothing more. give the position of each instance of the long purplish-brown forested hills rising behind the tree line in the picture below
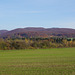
(38, 32)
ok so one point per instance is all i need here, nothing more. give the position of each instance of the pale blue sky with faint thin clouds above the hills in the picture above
(37, 13)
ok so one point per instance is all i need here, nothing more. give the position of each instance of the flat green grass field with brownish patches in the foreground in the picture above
(38, 62)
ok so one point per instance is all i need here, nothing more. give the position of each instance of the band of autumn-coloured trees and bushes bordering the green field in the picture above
(35, 43)
